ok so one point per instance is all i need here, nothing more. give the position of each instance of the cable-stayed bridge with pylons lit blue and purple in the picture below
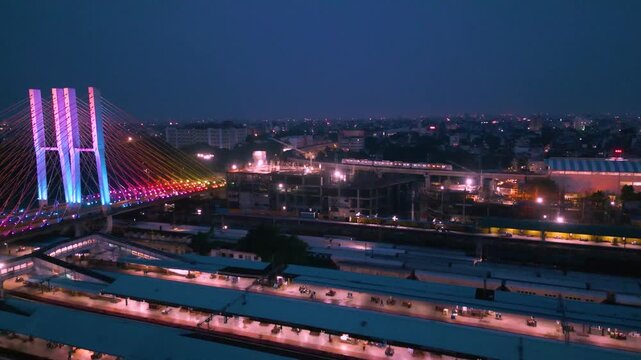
(63, 157)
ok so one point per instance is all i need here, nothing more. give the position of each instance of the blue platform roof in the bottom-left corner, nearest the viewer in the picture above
(128, 339)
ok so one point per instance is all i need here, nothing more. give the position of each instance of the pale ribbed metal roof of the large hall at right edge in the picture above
(595, 165)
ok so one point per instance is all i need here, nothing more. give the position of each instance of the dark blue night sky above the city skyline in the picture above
(328, 58)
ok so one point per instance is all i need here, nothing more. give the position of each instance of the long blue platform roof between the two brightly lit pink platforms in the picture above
(396, 329)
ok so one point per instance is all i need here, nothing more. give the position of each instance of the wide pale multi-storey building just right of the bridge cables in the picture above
(224, 137)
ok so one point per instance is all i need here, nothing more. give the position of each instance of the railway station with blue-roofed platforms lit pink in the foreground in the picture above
(327, 312)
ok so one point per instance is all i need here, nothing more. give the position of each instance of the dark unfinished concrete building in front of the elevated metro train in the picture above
(289, 188)
